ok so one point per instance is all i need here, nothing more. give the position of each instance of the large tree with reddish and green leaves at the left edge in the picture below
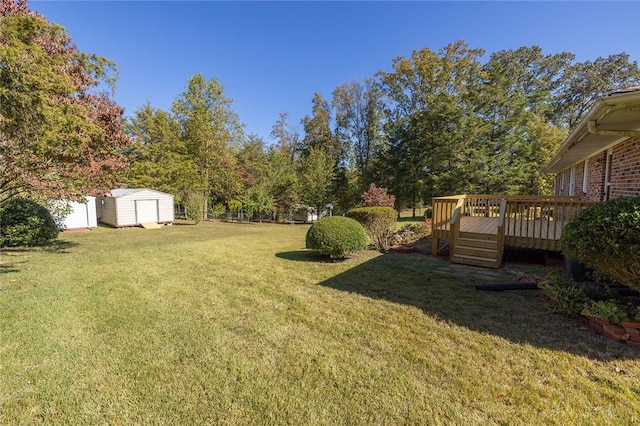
(59, 138)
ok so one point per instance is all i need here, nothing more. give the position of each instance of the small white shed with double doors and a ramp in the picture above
(135, 206)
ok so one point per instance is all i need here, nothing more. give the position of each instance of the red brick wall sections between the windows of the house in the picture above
(624, 177)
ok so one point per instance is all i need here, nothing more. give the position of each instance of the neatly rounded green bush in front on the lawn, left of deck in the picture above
(336, 236)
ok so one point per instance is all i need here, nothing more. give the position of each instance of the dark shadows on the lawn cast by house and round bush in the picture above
(447, 291)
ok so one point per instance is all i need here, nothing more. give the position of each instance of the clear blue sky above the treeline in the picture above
(271, 57)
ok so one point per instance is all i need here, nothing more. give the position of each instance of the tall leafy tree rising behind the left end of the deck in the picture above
(429, 121)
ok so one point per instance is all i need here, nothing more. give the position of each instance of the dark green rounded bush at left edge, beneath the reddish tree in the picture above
(26, 223)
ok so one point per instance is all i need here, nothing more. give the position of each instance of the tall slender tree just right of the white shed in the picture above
(209, 128)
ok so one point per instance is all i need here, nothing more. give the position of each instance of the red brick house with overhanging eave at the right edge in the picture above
(600, 159)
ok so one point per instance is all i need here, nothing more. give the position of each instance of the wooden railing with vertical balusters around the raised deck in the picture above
(529, 221)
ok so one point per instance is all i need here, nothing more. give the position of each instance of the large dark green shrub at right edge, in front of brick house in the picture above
(606, 237)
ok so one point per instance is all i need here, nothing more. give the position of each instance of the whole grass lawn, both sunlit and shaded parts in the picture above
(238, 324)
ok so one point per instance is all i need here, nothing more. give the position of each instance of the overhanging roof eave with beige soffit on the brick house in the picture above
(611, 120)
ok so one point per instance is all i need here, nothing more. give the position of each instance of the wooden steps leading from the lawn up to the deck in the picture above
(476, 249)
